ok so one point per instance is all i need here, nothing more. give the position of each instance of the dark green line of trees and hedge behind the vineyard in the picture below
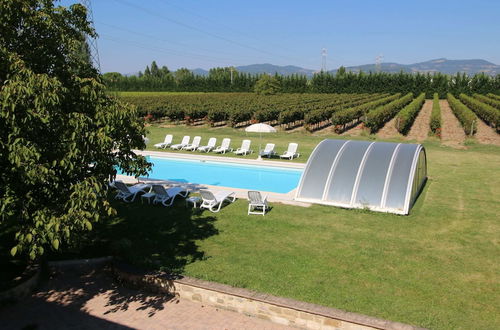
(219, 80)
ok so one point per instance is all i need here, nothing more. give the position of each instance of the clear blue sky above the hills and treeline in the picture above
(209, 33)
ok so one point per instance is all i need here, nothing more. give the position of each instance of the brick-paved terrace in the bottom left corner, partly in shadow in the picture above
(91, 300)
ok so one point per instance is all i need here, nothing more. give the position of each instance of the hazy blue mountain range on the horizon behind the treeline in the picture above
(442, 65)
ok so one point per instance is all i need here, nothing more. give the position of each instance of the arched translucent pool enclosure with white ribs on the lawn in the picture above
(380, 176)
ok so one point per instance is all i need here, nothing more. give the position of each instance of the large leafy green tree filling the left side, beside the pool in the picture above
(61, 135)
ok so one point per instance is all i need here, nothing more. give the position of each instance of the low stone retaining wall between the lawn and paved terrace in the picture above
(275, 309)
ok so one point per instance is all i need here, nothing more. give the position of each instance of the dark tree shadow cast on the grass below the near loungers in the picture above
(157, 237)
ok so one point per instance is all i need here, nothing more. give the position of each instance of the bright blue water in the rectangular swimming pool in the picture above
(273, 179)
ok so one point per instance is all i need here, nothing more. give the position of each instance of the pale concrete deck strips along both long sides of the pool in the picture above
(287, 198)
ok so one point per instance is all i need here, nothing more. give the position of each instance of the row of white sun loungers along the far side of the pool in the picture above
(225, 146)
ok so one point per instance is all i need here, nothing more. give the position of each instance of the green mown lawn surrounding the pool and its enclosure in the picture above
(439, 267)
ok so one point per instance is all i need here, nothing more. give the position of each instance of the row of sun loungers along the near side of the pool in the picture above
(210, 200)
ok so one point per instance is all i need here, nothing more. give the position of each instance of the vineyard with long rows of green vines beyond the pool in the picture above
(313, 112)
